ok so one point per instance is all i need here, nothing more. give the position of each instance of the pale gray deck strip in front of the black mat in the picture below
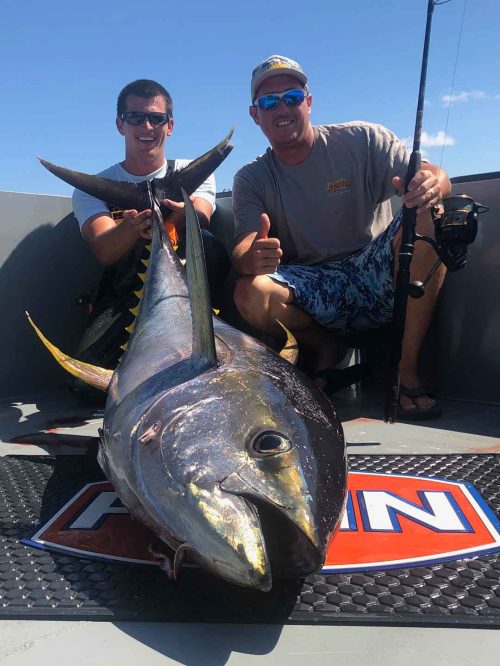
(99, 644)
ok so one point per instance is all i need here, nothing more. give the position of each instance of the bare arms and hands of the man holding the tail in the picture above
(110, 241)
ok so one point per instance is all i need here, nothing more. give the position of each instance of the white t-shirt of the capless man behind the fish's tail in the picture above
(86, 206)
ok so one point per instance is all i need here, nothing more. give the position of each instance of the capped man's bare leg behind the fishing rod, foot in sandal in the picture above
(419, 311)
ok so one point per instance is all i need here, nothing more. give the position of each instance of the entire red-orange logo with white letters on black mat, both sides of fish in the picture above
(390, 521)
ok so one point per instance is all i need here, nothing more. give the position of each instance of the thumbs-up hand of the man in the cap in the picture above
(255, 253)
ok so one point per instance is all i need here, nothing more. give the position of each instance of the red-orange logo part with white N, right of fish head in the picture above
(396, 520)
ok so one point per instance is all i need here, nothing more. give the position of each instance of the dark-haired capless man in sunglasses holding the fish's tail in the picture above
(117, 238)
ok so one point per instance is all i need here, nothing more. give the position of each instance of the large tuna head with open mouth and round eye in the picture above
(254, 491)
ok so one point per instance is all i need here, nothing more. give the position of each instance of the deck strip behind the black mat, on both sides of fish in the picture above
(55, 423)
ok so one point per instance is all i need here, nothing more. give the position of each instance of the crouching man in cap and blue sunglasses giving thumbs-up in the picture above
(316, 244)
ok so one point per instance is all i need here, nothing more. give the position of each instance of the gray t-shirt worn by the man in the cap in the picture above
(331, 204)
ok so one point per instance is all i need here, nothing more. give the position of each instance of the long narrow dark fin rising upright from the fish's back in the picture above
(199, 295)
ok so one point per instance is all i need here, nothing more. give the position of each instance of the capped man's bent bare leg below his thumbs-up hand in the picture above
(261, 301)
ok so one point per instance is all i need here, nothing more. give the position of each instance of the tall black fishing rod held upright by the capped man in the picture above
(408, 238)
